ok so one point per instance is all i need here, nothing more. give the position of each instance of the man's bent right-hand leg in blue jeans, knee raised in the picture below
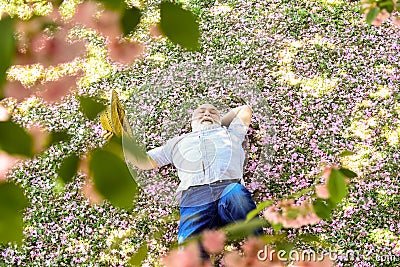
(235, 203)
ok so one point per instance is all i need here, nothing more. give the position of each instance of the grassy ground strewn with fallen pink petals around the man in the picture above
(332, 71)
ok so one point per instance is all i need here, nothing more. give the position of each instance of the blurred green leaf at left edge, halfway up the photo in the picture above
(14, 139)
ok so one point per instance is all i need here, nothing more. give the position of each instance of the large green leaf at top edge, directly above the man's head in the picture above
(179, 25)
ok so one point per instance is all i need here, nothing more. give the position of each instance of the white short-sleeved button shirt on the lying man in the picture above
(205, 156)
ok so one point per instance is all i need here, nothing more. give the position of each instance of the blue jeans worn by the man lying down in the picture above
(212, 206)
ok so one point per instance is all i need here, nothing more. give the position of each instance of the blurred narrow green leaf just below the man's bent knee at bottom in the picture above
(243, 229)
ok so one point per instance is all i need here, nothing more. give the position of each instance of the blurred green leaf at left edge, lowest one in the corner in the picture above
(12, 203)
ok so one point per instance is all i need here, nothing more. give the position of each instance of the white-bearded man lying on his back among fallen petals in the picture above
(210, 162)
